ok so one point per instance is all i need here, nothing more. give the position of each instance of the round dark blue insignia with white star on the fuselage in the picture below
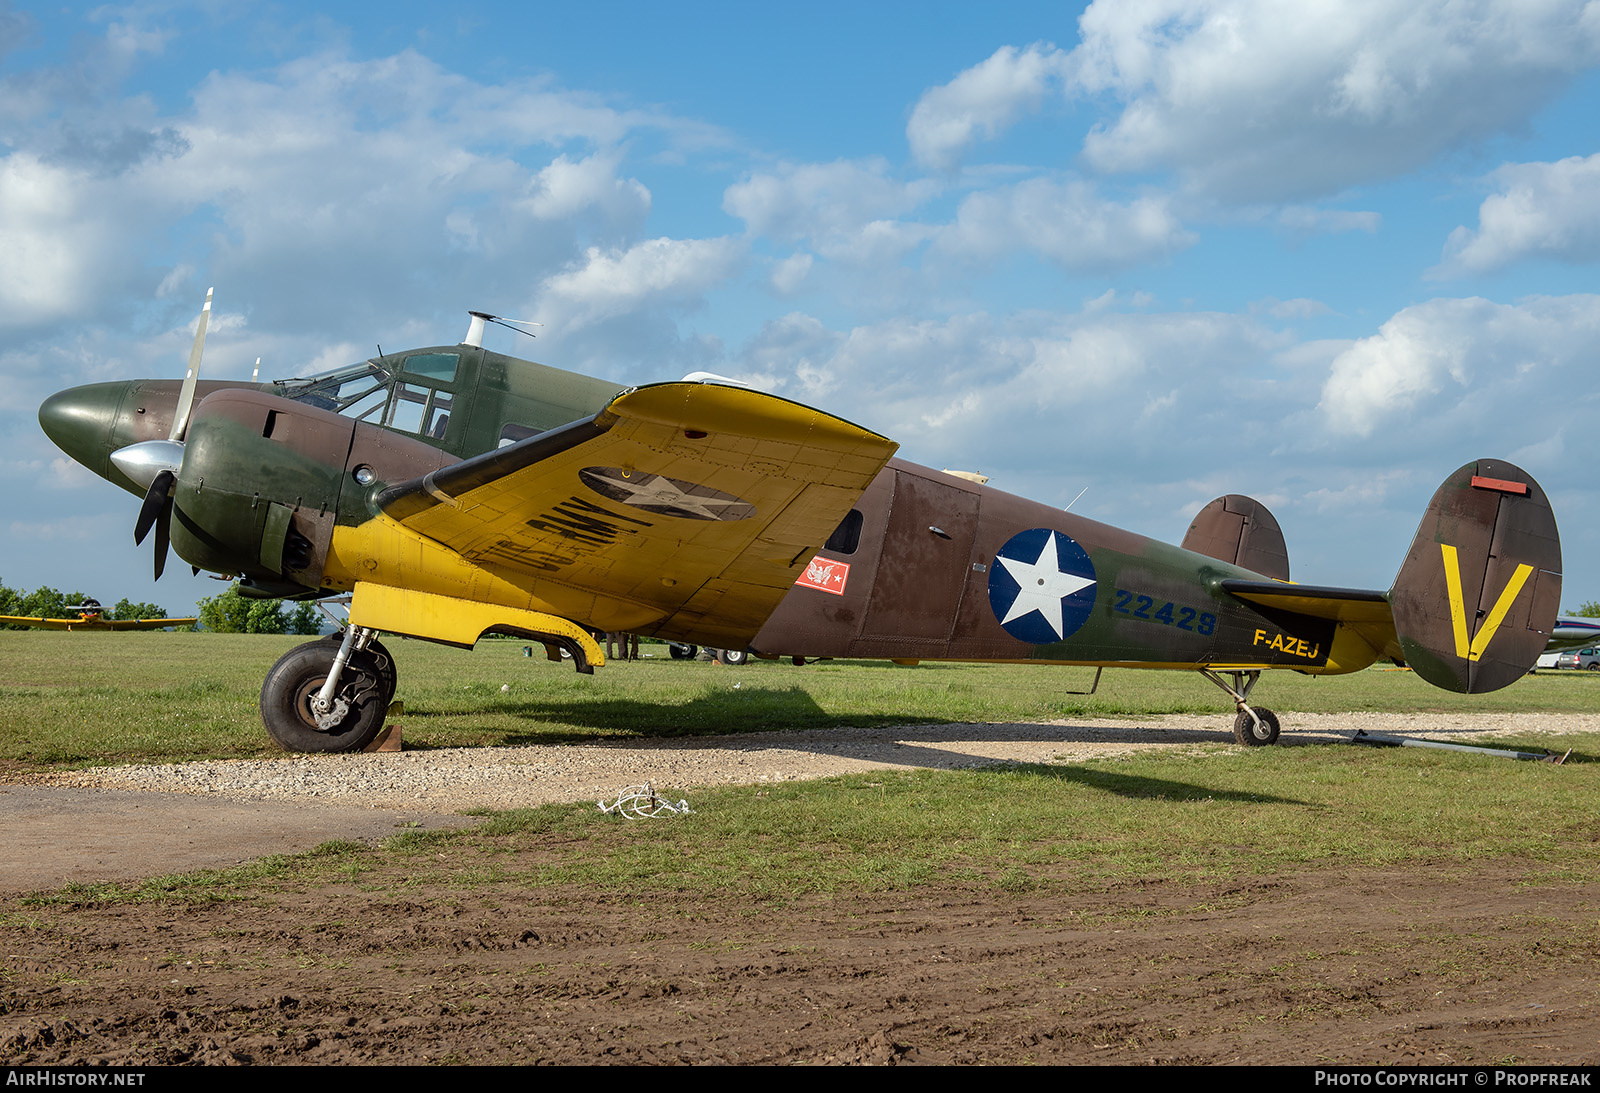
(1042, 587)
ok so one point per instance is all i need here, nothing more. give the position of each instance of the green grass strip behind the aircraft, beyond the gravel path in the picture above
(73, 700)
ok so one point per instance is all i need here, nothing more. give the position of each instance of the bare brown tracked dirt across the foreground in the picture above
(1450, 966)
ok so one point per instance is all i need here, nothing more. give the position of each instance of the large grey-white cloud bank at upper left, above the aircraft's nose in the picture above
(295, 183)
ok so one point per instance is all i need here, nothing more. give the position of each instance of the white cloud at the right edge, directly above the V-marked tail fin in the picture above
(1542, 210)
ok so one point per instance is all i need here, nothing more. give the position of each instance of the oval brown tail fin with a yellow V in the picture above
(1478, 596)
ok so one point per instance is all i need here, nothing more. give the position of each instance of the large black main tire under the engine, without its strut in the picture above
(367, 686)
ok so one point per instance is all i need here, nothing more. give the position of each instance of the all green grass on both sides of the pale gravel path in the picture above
(73, 700)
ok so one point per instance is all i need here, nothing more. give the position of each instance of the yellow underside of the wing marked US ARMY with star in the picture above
(681, 510)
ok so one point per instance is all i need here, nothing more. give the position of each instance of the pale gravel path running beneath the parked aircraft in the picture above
(450, 780)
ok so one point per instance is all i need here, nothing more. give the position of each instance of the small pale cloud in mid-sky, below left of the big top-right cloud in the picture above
(1066, 222)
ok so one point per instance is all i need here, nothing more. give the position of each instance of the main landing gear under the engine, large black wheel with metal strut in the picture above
(330, 695)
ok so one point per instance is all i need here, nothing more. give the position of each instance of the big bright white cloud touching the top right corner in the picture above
(1254, 103)
